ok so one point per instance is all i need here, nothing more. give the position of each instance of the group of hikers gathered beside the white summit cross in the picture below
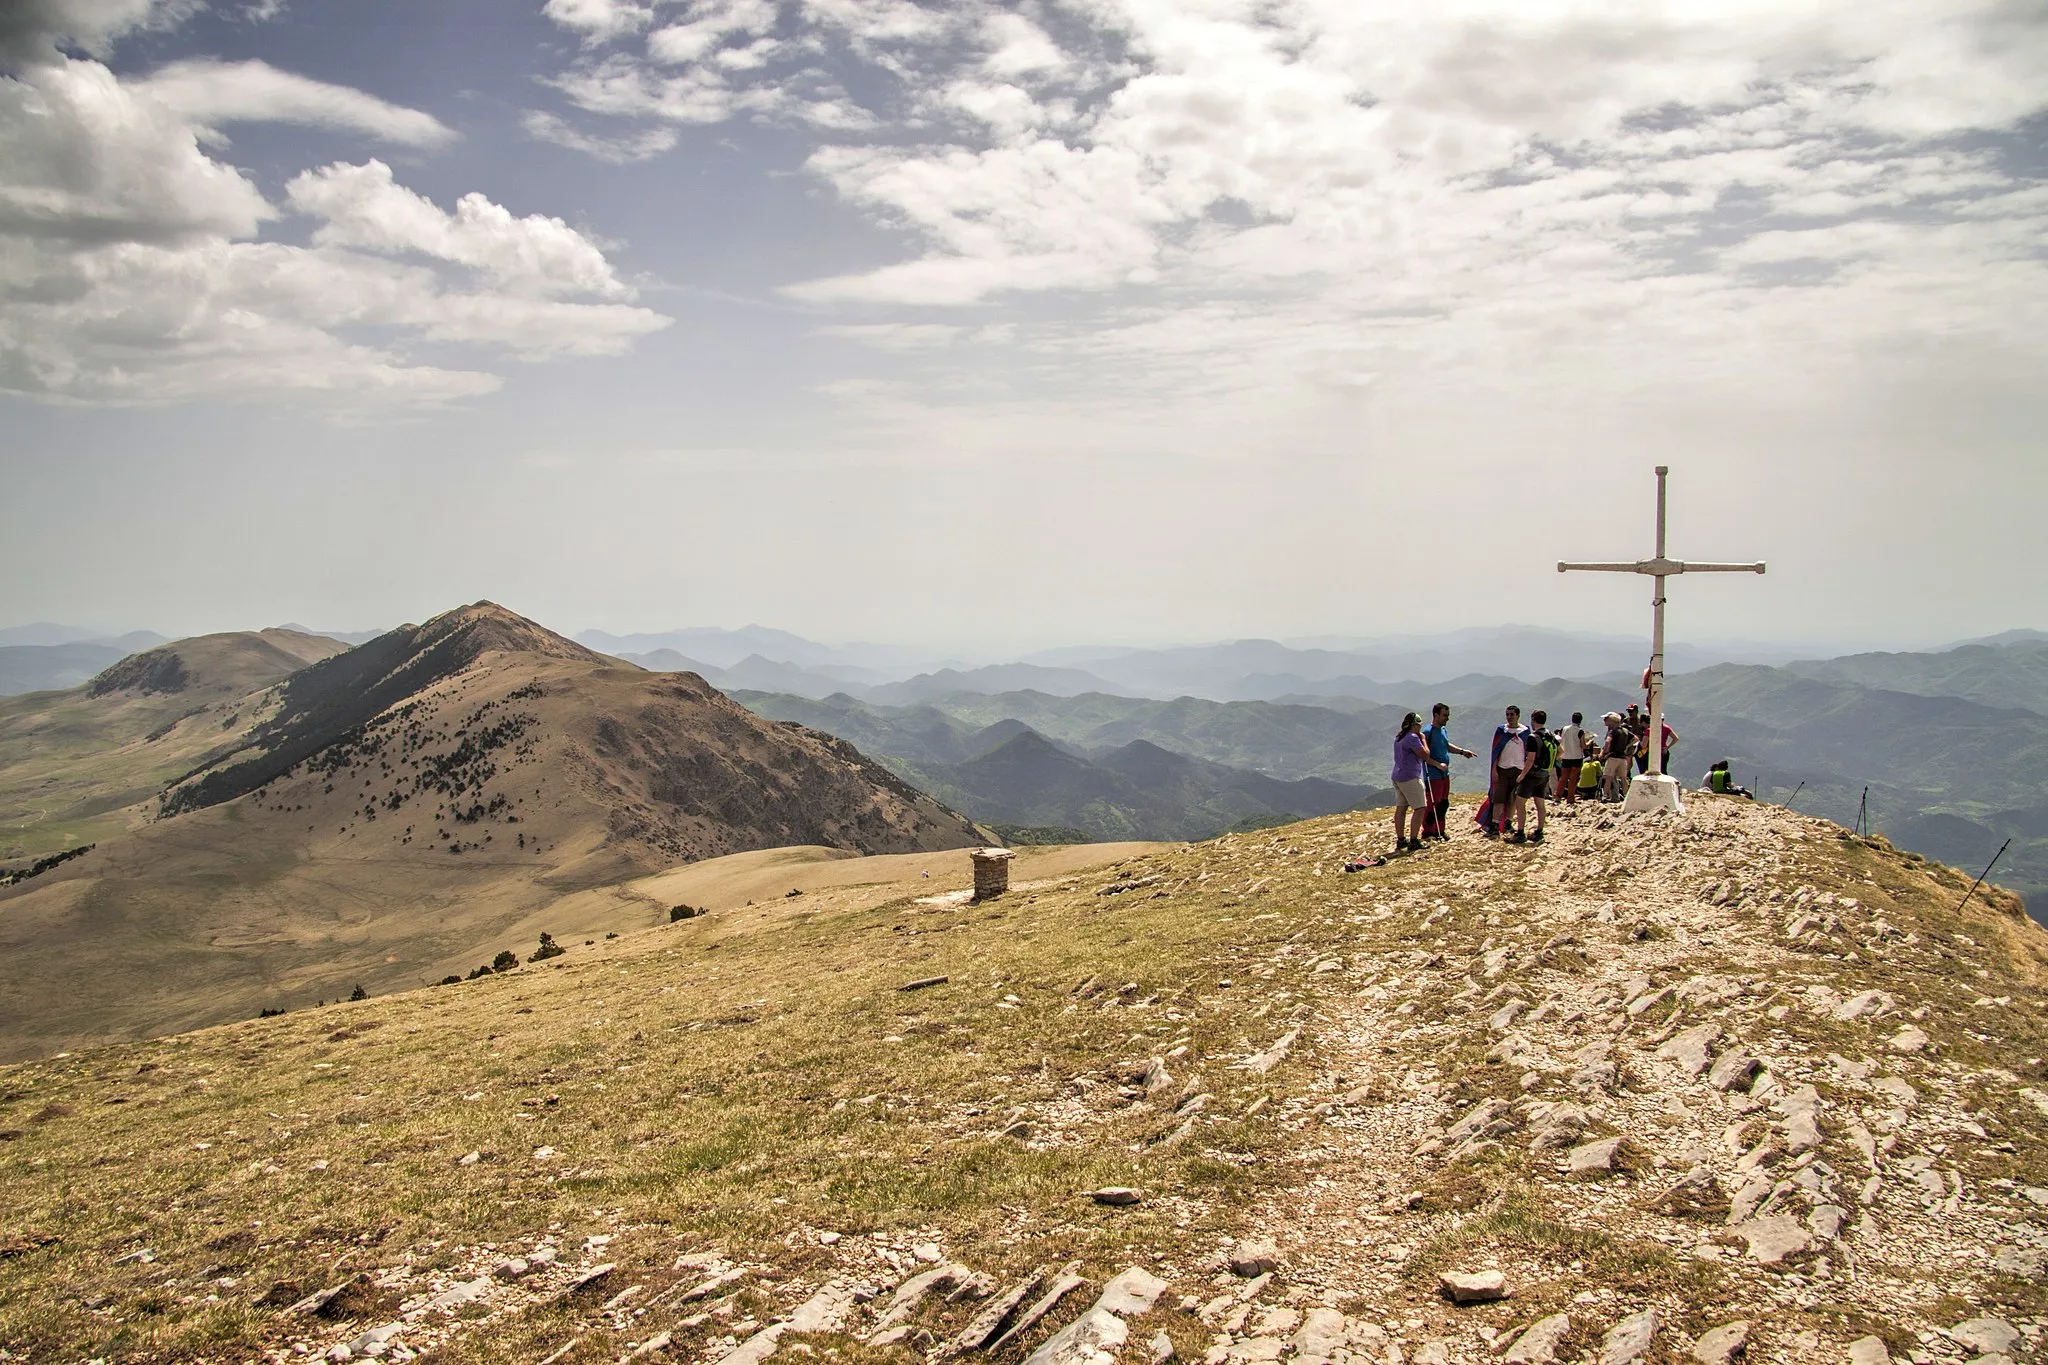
(1529, 766)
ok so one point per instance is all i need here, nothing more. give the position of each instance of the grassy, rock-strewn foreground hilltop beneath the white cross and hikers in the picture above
(1699, 1088)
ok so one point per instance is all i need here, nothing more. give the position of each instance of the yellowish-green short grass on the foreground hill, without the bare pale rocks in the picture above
(744, 1082)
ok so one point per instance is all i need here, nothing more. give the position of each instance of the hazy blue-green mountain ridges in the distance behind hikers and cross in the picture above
(1949, 777)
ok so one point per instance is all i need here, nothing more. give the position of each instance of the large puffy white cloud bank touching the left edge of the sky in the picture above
(130, 267)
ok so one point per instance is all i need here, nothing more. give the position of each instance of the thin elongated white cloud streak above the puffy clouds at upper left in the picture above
(214, 93)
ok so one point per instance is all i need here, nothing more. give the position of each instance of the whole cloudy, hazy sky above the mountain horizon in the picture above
(1007, 326)
